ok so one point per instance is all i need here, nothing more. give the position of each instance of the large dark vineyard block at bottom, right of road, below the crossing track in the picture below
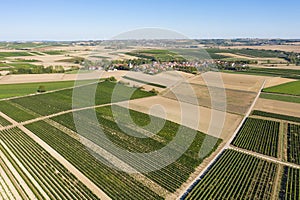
(236, 176)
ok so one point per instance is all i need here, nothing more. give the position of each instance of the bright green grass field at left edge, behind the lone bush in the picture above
(15, 90)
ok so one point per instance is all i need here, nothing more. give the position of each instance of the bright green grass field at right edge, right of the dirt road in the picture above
(292, 88)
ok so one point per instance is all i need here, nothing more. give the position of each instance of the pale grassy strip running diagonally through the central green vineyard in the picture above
(112, 159)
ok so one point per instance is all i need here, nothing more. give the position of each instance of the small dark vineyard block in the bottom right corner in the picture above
(290, 184)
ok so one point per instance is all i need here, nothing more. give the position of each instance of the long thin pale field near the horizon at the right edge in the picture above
(289, 48)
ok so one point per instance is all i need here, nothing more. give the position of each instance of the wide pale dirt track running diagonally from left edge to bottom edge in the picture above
(63, 161)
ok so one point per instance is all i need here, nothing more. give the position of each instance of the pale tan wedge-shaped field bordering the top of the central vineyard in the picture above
(172, 111)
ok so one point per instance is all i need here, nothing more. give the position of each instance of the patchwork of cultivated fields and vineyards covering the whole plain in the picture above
(44, 155)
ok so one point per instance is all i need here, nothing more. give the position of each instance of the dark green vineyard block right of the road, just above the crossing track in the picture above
(259, 135)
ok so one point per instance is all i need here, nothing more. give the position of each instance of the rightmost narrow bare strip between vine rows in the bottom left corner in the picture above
(32, 180)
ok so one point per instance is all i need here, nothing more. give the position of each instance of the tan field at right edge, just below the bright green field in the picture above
(279, 107)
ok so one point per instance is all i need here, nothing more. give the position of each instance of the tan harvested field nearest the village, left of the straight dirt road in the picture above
(247, 83)
